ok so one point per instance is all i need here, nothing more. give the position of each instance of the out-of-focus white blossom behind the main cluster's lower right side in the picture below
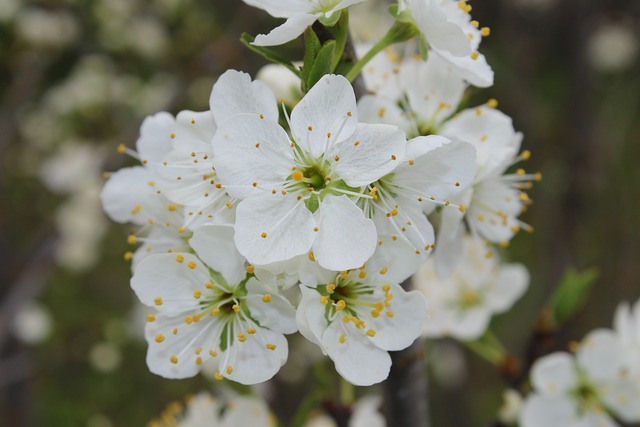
(461, 305)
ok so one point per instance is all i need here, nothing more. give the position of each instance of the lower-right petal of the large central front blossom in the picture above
(346, 239)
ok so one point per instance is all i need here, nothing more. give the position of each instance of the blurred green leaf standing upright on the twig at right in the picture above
(571, 294)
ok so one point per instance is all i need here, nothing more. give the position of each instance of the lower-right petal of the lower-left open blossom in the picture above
(252, 361)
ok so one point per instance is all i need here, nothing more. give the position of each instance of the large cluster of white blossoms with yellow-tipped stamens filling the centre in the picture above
(331, 200)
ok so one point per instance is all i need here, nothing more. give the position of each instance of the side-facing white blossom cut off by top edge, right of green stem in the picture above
(453, 36)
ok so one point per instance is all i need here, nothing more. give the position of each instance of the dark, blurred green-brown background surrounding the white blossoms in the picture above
(78, 76)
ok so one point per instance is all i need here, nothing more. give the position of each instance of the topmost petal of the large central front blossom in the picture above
(322, 117)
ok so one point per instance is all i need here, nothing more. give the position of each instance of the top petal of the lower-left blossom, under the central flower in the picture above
(215, 246)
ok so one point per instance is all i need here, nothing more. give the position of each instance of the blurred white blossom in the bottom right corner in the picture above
(584, 390)
